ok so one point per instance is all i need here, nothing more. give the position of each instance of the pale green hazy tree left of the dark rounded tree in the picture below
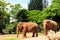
(15, 8)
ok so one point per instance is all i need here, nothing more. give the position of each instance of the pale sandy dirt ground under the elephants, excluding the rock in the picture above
(13, 37)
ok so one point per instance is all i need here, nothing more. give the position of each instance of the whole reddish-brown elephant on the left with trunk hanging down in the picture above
(27, 27)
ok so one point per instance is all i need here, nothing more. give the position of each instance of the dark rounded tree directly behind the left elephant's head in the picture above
(22, 15)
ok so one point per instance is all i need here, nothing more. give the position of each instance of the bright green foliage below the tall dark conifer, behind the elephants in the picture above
(36, 16)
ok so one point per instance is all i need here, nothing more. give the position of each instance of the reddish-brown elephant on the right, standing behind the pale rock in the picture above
(49, 25)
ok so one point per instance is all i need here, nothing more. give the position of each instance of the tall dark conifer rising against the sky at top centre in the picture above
(35, 5)
